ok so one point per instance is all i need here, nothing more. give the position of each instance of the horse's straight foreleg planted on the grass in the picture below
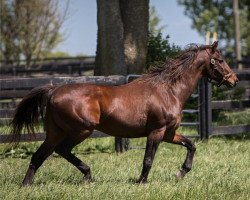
(151, 147)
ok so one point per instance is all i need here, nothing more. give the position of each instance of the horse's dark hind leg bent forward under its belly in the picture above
(64, 149)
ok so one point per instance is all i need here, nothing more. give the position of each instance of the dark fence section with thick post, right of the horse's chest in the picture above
(207, 106)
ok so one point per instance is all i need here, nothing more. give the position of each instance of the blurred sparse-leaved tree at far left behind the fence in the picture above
(29, 28)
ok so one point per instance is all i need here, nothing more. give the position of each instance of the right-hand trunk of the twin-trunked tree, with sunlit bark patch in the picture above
(135, 17)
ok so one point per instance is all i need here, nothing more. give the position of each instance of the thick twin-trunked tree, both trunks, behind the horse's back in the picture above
(122, 36)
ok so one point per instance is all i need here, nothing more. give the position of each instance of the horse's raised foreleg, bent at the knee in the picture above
(181, 140)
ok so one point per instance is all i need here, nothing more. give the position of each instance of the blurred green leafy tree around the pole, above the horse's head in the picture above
(217, 16)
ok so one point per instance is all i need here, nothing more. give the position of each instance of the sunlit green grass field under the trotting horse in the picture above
(221, 171)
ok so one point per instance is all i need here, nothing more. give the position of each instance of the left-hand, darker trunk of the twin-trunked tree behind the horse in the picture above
(110, 49)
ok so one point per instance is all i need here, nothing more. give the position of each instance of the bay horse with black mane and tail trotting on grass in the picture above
(150, 106)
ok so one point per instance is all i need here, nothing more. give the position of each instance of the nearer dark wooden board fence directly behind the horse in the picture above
(13, 90)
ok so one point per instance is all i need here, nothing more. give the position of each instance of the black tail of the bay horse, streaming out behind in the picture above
(28, 111)
